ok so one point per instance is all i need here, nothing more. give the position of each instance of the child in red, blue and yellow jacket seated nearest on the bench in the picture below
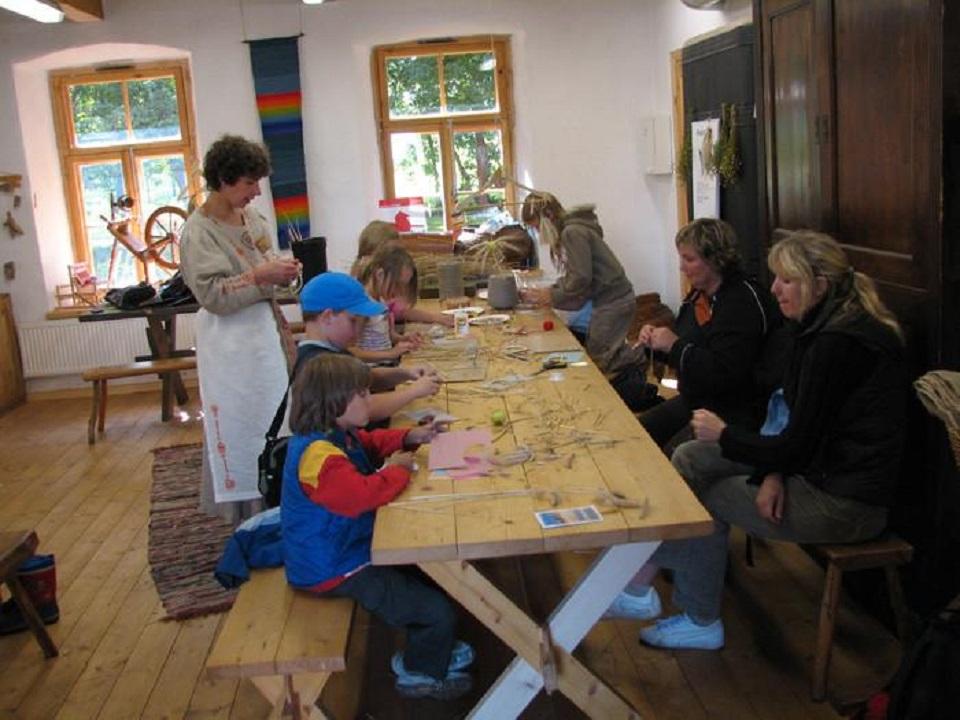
(335, 477)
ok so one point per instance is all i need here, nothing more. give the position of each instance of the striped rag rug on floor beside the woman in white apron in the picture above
(184, 543)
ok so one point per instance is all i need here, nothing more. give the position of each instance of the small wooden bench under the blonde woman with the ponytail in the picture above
(887, 552)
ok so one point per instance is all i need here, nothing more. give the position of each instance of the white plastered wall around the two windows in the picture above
(585, 73)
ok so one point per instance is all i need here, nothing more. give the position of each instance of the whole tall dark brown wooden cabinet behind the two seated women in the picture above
(852, 123)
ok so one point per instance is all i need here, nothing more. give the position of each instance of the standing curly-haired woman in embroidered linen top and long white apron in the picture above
(244, 347)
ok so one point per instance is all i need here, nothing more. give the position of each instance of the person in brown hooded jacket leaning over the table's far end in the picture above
(589, 271)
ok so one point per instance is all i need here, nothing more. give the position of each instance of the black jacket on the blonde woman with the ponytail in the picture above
(846, 387)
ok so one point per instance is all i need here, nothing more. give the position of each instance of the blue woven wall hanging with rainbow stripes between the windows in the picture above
(276, 81)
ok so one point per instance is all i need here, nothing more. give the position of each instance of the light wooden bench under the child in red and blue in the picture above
(289, 644)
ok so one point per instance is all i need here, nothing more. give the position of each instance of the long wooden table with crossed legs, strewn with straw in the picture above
(588, 449)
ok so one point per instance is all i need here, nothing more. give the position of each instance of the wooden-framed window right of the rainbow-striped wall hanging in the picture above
(445, 116)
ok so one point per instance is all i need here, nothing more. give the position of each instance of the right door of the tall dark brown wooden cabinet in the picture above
(887, 128)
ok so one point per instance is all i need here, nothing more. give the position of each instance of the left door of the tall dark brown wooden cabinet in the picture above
(797, 97)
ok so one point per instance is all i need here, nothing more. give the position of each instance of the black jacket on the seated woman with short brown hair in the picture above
(717, 363)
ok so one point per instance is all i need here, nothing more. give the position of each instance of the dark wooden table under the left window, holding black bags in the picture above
(162, 338)
